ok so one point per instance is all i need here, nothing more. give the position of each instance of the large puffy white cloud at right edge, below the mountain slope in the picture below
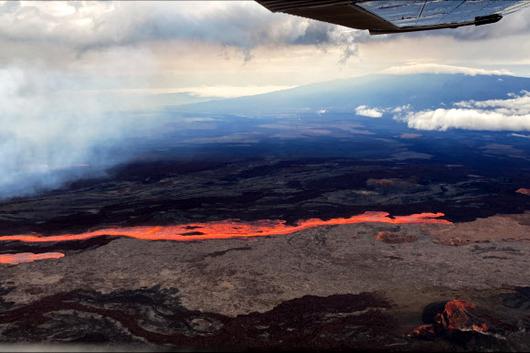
(511, 114)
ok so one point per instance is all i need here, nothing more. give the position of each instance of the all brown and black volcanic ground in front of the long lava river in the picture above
(222, 284)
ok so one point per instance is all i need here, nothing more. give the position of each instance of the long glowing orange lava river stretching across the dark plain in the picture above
(227, 229)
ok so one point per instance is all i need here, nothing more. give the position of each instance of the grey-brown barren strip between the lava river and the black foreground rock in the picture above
(237, 276)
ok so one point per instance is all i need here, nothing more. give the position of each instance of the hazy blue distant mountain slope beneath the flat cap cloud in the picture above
(422, 91)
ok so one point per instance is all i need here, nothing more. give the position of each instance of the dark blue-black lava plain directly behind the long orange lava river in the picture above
(167, 193)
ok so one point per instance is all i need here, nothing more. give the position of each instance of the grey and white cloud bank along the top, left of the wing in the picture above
(91, 25)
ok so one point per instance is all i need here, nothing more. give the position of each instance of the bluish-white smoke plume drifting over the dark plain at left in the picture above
(52, 131)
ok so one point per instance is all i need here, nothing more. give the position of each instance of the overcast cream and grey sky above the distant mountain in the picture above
(229, 48)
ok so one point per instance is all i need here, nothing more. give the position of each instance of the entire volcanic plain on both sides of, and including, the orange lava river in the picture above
(318, 280)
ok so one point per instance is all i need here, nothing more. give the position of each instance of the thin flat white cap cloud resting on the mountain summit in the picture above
(441, 69)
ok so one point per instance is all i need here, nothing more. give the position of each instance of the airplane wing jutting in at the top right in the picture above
(396, 16)
